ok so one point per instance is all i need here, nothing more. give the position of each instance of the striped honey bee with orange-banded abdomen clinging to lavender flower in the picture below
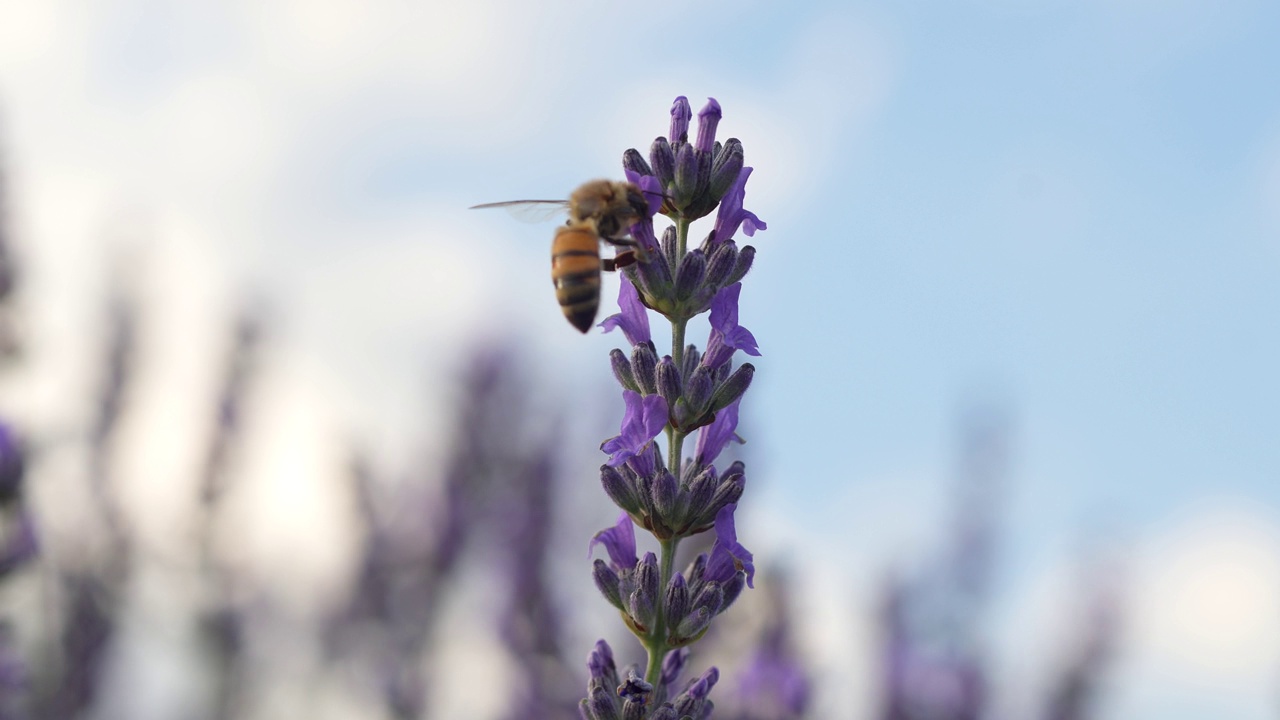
(597, 211)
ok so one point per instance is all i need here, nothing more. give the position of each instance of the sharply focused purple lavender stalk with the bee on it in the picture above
(685, 391)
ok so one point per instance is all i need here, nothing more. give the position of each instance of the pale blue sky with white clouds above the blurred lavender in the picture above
(1066, 211)
